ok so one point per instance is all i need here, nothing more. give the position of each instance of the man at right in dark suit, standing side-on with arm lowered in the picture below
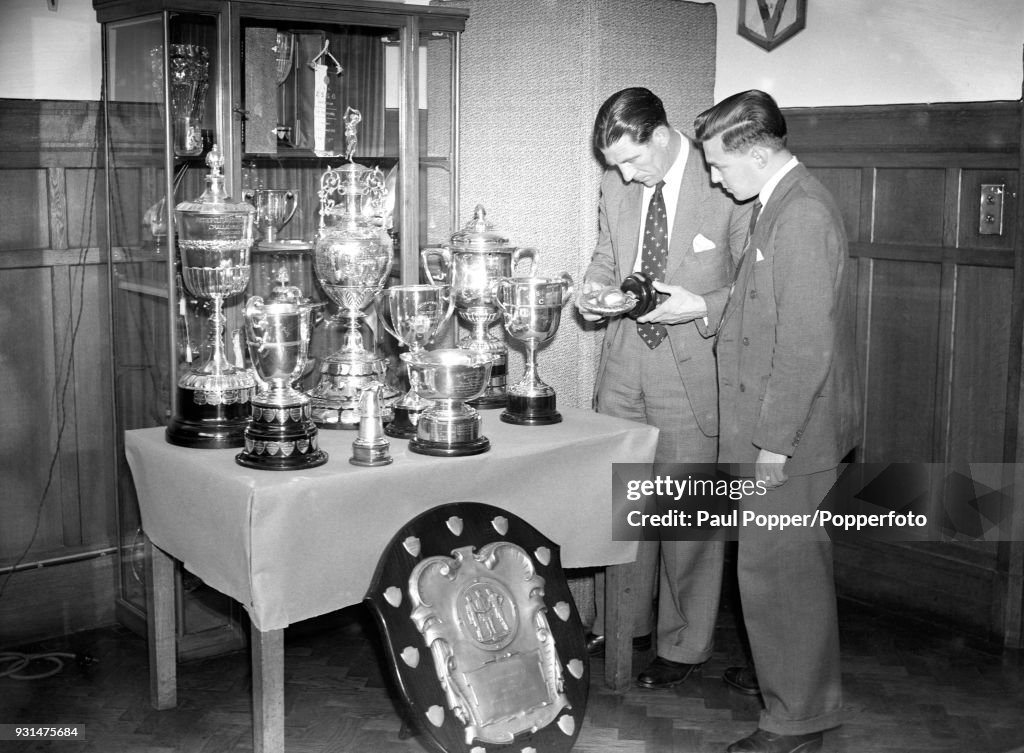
(790, 412)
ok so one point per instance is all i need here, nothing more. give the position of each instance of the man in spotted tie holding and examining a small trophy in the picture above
(660, 215)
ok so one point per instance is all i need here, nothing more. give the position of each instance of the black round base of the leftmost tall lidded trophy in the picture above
(206, 426)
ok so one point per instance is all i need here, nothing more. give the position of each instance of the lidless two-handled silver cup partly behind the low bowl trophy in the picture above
(414, 315)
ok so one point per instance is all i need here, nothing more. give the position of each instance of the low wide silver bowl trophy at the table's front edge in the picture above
(450, 378)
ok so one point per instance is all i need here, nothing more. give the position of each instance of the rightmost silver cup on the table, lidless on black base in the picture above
(533, 310)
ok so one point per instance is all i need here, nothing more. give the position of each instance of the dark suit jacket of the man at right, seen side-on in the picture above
(788, 374)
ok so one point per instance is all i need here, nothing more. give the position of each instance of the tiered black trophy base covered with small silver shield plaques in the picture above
(281, 439)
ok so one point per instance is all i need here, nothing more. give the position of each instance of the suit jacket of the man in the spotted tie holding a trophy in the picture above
(703, 211)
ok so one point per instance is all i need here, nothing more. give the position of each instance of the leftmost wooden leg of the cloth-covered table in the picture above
(160, 606)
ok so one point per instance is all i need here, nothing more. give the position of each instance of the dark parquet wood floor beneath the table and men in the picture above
(907, 691)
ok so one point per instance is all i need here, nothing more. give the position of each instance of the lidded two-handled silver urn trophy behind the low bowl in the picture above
(475, 261)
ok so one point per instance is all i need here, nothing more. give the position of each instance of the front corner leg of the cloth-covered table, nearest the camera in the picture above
(269, 691)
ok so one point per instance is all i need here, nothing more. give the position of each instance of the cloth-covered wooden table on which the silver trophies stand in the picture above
(290, 547)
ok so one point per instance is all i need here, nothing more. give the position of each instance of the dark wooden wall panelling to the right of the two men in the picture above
(938, 330)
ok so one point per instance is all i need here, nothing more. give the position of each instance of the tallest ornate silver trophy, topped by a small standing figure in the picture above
(353, 259)
